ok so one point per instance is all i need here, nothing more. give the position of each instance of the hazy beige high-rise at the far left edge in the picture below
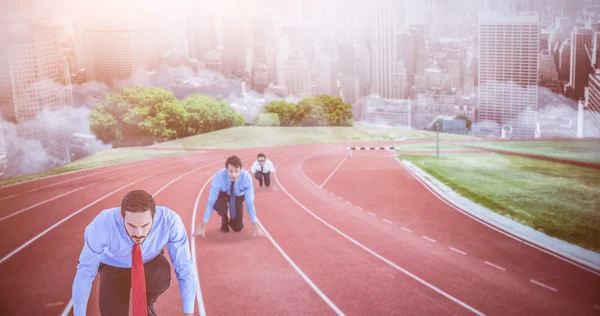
(35, 79)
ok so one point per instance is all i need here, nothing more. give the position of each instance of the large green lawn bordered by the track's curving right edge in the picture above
(558, 199)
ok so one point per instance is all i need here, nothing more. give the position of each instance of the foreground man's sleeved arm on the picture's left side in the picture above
(87, 269)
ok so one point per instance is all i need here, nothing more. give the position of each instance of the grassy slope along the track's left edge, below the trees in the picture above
(103, 158)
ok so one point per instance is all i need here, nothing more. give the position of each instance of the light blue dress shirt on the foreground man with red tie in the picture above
(107, 241)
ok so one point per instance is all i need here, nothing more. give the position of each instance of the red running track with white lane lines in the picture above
(352, 236)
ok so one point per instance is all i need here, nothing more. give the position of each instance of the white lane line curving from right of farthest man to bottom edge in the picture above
(450, 297)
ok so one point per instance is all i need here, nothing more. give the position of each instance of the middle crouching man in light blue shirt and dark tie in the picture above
(230, 187)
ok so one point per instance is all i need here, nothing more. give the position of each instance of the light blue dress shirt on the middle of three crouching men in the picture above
(221, 182)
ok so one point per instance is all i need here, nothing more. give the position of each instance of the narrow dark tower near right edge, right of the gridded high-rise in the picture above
(581, 66)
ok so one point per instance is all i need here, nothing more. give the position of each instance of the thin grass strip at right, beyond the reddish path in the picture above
(588, 151)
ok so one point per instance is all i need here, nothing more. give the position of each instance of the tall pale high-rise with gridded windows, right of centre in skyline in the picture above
(508, 74)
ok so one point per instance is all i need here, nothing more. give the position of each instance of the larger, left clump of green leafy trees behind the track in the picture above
(146, 113)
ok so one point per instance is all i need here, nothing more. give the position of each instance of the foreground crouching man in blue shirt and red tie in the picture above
(107, 250)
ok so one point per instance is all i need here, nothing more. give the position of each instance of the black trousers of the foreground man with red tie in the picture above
(115, 285)
